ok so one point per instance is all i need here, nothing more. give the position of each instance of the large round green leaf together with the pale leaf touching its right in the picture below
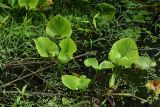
(125, 53)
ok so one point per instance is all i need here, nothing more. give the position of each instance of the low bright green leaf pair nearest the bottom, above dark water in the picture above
(75, 83)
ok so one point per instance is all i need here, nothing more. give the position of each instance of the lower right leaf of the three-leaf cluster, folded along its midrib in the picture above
(68, 47)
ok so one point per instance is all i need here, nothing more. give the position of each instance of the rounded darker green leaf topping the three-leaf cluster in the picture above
(59, 26)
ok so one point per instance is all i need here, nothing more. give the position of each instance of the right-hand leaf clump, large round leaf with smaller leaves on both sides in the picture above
(124, 52)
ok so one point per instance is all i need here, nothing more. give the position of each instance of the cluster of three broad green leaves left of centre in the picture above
(46, 47)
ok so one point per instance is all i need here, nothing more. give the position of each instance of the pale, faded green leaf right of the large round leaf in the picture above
(145, 63)
